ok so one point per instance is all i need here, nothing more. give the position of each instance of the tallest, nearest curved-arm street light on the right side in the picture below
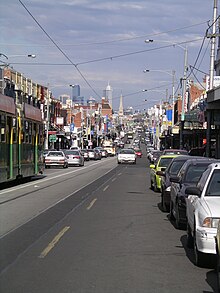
(183, 84)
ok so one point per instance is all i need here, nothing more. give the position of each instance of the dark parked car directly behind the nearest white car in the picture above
(188, 175)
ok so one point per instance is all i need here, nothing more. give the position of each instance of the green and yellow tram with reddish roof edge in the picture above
(21, 140)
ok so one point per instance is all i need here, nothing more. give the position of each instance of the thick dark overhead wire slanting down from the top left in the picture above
(64, 54)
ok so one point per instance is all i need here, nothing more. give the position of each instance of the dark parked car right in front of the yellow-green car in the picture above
(172, 170)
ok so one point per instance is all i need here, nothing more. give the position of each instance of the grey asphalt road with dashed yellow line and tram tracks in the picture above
(94, 229)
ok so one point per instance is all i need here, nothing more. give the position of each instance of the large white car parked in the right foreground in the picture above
(203, 214)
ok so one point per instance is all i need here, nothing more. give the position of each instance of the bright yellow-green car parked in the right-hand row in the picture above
(161, 165)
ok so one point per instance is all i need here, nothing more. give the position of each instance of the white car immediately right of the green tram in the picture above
(56, 158)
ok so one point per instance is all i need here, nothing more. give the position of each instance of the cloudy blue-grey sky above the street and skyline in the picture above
(95, 42)
